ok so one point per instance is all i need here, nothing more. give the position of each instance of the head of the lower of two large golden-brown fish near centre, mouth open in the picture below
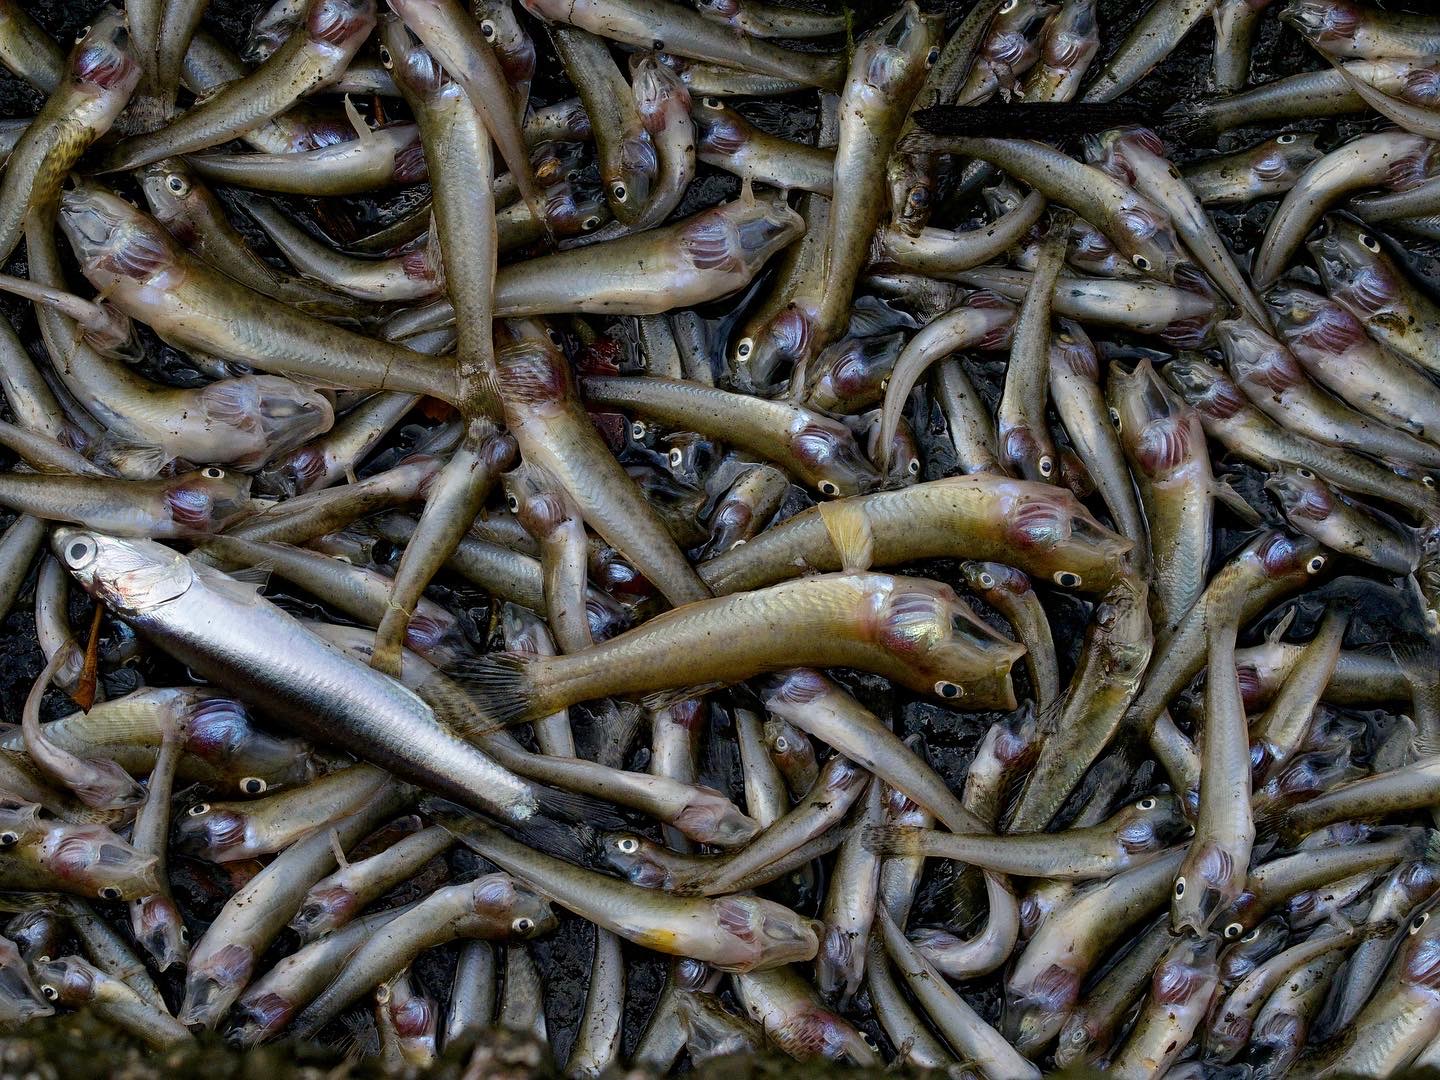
(944, 647)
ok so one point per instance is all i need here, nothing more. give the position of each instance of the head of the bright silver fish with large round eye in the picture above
(130, 577)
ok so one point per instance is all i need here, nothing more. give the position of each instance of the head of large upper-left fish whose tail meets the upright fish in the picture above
(113, 240)
